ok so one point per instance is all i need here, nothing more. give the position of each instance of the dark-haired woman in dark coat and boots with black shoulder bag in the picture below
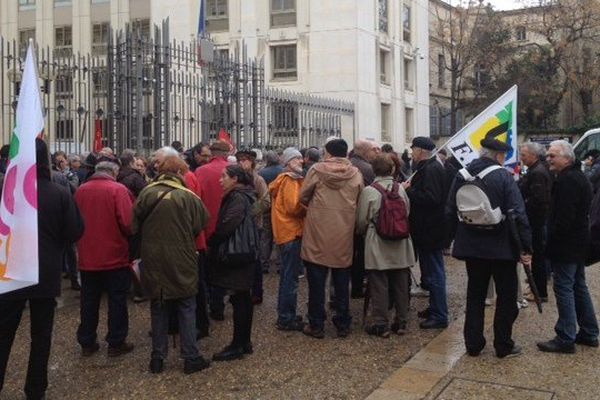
(239, 197)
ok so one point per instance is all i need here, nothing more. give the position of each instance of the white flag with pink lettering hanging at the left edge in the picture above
(19, 259)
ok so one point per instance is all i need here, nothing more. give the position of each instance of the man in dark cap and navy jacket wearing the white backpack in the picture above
(490, 252)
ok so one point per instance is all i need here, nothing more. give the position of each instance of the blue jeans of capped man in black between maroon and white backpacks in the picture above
(433, 262)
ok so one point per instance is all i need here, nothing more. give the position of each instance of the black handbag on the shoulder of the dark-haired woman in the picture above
(242, 246)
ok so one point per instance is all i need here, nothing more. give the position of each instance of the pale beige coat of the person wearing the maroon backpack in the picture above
(382, 254)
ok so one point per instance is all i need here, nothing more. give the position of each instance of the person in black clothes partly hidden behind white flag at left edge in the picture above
(59, 225)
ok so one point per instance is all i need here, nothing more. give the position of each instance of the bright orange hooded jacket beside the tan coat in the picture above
(287, 214)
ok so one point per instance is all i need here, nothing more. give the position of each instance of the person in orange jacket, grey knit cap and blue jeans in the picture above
(288, 218)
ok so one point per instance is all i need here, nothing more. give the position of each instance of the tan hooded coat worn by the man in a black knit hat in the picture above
(330, 191)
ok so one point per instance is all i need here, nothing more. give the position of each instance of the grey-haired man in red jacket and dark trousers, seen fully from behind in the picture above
(106, 207)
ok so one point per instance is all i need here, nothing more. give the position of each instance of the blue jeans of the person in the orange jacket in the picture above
(291, 265)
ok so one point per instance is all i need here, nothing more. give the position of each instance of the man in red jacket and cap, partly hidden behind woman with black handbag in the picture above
(211, 194)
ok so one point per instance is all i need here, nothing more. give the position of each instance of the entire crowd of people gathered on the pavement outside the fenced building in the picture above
(184, 230)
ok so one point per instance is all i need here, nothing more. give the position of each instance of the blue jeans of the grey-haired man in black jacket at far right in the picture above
(573, 302)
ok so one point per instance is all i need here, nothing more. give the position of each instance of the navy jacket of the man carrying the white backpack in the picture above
(470, 242)
